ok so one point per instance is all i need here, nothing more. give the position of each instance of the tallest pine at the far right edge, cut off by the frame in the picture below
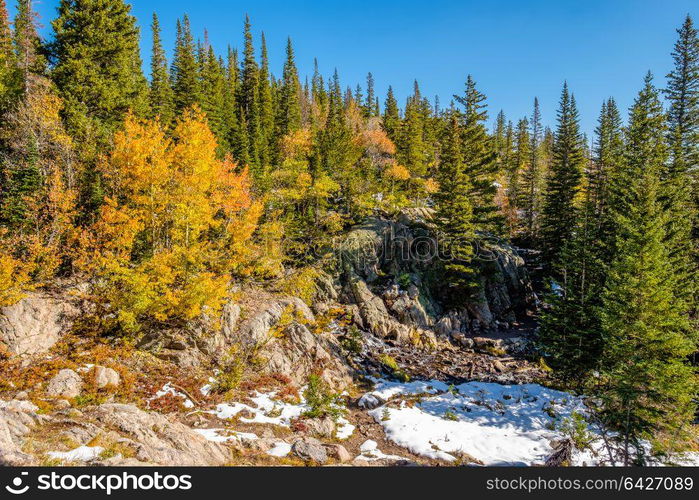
(683, 168)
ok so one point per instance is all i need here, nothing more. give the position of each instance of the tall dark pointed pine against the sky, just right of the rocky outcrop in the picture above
(559, 213)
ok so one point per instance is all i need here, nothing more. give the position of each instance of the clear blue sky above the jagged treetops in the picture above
(515, 49)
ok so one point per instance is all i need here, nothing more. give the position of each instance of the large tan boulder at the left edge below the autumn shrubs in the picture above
(34, 324)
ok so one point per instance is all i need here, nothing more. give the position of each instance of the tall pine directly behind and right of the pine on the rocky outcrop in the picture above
(479, 157)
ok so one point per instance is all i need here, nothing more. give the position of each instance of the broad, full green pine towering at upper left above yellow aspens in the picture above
(97, 66)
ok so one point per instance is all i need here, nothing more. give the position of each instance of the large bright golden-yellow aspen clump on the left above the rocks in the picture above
(174, 227)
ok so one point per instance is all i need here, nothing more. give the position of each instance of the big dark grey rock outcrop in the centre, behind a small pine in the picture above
(390, 273)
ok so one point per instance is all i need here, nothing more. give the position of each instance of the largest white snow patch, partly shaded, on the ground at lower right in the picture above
(496, 424)
